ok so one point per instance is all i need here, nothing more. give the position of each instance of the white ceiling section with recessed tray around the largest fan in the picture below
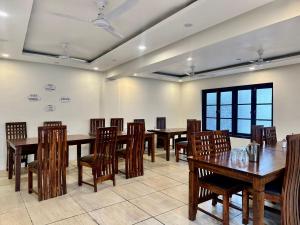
(45, 32)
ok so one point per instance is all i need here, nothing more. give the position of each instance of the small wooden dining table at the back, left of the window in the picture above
(166, 135)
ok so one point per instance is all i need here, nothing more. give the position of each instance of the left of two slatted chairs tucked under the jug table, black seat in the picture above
(211, 185)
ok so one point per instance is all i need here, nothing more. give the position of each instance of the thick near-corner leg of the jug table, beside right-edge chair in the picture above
(258, 202)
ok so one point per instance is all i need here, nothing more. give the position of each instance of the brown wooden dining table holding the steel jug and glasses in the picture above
(271, 166)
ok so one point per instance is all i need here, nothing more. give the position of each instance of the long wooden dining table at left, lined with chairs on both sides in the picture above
(19, 146)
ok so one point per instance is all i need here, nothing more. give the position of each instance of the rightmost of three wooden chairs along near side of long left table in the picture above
(133, 154)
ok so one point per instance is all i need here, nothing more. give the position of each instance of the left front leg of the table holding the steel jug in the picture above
(193, 191)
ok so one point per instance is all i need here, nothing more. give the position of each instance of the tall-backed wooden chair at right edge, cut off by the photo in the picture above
(285, 190)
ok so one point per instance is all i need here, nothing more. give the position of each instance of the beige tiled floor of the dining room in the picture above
(159, 197)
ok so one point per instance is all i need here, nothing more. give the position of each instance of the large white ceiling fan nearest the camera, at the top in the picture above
(103, 20)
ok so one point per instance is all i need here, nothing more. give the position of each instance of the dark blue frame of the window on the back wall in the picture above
(234, 90)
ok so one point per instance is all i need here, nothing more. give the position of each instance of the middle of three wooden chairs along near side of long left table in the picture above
(102, 162)
